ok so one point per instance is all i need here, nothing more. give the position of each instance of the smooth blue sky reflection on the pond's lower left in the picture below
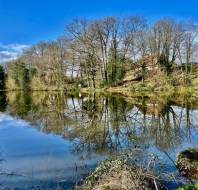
(35, 155)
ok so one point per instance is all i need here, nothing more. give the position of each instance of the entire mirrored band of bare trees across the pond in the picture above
(105, 124)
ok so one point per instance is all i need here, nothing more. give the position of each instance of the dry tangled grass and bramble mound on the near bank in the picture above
(118, 175)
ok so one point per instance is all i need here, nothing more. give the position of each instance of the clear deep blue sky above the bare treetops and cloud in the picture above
(25, 22)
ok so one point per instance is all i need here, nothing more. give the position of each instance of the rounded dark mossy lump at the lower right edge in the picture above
(187, 163)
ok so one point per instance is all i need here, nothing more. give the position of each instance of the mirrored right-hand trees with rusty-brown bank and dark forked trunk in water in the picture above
(162, 122)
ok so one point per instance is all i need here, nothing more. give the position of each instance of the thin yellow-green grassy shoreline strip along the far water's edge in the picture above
(119, 90)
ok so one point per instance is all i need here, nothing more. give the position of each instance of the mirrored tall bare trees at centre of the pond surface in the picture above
(101, 132)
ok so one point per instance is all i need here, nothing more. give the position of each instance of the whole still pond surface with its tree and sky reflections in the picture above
(53, 140)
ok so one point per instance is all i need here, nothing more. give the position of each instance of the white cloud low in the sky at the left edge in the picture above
(10, 52)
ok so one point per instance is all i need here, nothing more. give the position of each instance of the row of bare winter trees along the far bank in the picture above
(98, 53)
